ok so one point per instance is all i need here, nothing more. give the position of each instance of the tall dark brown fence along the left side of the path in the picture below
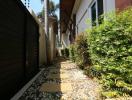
(18, 47)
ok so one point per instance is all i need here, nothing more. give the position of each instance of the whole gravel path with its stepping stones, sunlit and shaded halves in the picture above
(62, 81)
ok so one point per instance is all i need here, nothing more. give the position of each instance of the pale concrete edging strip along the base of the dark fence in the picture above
(25, 87)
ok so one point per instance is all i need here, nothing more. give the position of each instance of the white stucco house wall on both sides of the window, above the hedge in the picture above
(84, 13)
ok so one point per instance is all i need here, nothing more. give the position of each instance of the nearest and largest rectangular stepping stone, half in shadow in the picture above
(54, 87)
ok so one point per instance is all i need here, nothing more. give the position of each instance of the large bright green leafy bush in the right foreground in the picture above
(111, 53)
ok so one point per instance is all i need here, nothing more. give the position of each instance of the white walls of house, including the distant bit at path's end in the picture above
(82, 9)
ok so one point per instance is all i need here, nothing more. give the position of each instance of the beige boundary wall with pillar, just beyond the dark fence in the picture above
(47, 47)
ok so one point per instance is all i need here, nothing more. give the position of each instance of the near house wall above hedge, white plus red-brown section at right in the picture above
(83, 11)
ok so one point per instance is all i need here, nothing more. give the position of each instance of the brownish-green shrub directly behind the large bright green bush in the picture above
(82, 55)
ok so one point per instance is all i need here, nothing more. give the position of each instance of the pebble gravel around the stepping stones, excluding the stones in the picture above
(83, 88)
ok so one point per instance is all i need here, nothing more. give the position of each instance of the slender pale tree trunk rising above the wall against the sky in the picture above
(46, 17)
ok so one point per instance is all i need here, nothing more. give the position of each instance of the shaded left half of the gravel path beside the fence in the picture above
(48, 85)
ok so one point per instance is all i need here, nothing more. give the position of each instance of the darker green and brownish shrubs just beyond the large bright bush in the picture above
(79, 51)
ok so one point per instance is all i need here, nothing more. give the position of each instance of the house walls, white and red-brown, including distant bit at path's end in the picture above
(82, 9)
